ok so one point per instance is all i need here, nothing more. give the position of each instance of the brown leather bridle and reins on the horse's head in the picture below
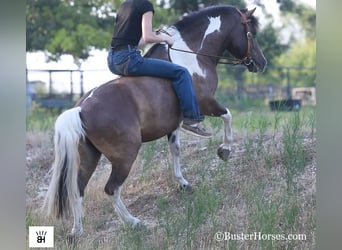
(247, 60)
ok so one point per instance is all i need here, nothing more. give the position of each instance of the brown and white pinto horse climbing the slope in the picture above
(115, 118)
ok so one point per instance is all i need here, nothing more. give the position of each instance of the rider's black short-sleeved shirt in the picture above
(128, 28)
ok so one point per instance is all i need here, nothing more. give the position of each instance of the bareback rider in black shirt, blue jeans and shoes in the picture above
(133, 28)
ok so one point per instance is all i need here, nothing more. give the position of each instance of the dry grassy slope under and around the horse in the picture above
(266, 189)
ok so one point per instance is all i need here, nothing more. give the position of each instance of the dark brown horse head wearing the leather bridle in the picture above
(243, 43)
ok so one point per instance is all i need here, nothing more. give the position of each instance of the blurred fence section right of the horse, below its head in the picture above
(273, 85)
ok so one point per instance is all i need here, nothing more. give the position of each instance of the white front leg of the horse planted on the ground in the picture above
(174, 144)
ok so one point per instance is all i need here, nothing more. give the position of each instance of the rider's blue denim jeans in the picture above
(129, 62)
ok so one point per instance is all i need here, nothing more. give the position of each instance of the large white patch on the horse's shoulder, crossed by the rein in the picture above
(187, 60)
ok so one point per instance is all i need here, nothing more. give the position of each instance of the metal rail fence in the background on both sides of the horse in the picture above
(62, 88)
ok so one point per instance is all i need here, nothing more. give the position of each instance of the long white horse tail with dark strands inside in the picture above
(63, 191)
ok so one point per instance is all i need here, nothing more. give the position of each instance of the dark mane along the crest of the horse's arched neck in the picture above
(200, 16)
